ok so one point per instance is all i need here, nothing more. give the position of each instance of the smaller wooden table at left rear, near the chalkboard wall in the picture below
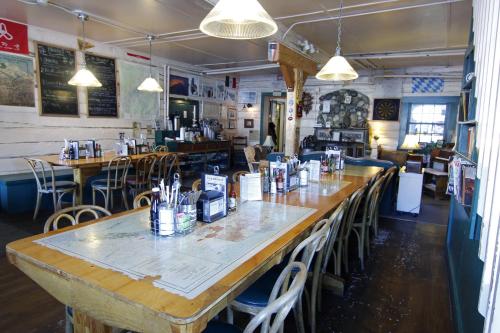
(84, 168)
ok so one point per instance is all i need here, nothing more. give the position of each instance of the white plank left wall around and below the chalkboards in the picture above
(23, 132)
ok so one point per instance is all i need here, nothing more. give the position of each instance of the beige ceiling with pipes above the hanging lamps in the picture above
(430, 25)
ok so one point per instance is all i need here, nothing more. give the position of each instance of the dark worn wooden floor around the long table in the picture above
(403, 289)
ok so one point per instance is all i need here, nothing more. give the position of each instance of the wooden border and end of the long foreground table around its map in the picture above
(102, 297)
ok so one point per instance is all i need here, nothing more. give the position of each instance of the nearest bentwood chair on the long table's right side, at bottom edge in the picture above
(282, 298)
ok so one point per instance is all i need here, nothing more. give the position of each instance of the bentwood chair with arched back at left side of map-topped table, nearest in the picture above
(53, 223)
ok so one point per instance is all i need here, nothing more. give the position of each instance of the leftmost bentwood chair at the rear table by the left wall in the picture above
(46, 183)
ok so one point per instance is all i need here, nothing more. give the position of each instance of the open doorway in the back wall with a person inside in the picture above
(273, 118)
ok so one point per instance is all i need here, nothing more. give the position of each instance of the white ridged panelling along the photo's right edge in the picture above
(486, 28)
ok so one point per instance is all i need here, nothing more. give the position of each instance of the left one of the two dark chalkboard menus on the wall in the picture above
(55, 67)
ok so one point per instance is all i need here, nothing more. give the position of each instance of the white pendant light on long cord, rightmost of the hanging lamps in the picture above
(337, 68)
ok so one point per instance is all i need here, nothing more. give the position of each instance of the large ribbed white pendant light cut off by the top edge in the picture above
(238, 19)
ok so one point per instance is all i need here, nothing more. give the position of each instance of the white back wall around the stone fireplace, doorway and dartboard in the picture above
(369, 84)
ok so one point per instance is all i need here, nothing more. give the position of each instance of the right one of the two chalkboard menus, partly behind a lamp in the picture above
(102, 101)
